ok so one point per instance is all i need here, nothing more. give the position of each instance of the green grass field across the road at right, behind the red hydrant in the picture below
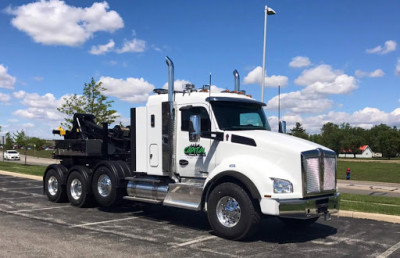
(370, 171)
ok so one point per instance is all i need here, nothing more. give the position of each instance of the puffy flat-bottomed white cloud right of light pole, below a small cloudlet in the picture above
(324, 80)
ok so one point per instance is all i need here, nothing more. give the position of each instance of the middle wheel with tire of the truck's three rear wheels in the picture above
(78, 194)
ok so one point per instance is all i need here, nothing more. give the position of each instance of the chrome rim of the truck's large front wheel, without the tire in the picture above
(228, 211)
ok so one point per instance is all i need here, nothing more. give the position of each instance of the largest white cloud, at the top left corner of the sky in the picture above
(56, 23)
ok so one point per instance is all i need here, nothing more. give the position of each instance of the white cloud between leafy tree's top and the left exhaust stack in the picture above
(133, 90)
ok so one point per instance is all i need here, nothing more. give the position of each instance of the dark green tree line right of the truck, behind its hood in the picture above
(346, 138)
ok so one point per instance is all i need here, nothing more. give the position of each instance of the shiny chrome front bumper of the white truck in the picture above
(309, 208)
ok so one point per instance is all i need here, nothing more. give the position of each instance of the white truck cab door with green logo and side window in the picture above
(194, 159)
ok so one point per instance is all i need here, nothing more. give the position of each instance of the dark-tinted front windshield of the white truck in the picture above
(239, 116)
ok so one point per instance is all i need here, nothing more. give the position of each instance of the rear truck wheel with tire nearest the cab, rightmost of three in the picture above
(104, 187)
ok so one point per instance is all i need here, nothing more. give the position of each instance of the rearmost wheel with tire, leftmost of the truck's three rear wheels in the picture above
(53, 187)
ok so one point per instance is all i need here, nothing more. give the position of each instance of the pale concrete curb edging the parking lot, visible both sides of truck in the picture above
(342, 213)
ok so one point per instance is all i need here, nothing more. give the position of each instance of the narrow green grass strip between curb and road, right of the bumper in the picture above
(371, 204)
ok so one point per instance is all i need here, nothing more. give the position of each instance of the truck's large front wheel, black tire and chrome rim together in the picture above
(231, 212)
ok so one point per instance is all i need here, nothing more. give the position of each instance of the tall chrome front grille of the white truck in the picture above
(319, 172)
